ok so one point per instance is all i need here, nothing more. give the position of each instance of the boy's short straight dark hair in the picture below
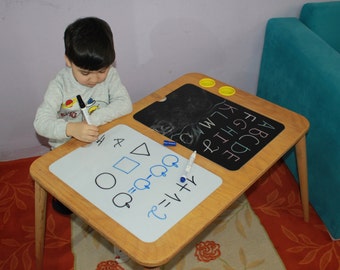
(89, 43)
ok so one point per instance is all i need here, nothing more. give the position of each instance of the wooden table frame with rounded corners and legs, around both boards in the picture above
(158, 253)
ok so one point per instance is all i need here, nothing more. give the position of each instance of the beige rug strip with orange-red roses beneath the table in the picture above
(236, 240)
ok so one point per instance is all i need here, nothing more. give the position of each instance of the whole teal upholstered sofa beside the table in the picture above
(300, 70)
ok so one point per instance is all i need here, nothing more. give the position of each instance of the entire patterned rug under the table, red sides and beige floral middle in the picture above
(264, 230)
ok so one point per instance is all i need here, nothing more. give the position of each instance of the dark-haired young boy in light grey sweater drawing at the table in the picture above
(89, 55)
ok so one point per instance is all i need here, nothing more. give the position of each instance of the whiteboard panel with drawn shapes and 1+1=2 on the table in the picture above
(135, 181)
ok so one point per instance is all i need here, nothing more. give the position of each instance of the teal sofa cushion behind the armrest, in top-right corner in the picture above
(323, 19)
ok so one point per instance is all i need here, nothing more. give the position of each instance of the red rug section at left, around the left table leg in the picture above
(17, 244)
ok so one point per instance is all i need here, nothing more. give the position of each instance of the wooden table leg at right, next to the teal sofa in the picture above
(301, 158)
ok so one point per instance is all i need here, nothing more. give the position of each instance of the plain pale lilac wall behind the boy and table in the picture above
(156, 42)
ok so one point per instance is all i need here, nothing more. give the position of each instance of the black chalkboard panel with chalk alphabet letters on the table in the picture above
(216, 128)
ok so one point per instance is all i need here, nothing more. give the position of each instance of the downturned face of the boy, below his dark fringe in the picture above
(85, 77)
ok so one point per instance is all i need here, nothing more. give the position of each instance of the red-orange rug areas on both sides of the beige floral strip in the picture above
(300, 245)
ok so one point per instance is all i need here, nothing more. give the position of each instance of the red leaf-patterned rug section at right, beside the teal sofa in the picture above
(301, 245)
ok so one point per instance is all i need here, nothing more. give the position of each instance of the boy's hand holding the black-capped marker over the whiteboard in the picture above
(82, 131)
